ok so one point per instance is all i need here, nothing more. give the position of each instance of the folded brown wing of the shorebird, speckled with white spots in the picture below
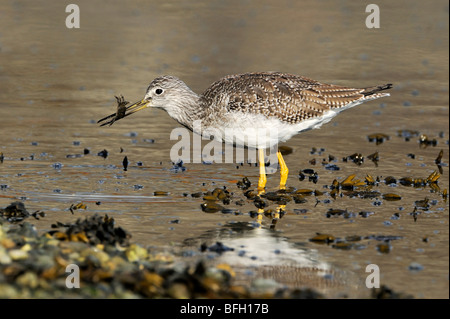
(288, 97)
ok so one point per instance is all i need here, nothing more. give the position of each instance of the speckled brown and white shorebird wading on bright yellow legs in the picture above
(285, 103)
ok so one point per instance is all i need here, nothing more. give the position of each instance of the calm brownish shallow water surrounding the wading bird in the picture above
(56, 82)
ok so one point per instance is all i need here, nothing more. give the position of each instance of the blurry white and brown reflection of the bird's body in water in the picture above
(256, 253)
